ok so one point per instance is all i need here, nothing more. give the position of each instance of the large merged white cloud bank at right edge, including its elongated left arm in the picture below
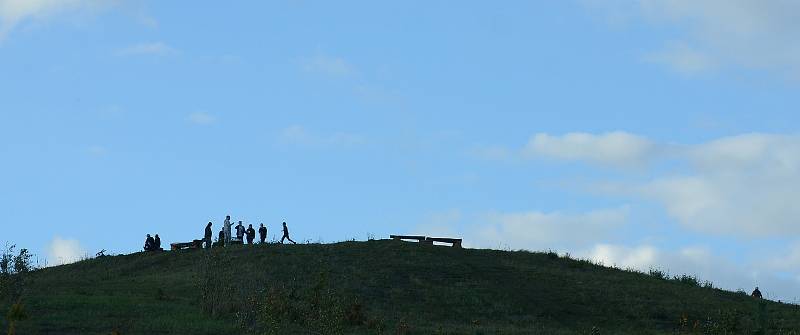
(736, 186)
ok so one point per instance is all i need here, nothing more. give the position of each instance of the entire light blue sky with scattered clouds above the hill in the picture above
(650, 133)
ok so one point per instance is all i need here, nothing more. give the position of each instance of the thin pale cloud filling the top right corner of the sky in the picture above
(758, 34)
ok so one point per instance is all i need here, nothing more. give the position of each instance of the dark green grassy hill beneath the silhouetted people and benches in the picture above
(379, 287)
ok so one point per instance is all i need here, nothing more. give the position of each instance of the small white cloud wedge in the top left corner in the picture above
(16, 12)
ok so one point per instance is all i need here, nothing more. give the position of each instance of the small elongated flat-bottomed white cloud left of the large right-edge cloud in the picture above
(615, 148)
